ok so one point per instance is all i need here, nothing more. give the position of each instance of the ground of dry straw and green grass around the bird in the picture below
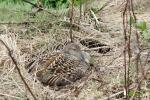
(32, 34)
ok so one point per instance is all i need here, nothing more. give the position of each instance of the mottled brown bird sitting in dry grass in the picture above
(61, 68)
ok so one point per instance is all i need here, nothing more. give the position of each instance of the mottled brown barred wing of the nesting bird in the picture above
(59, 69)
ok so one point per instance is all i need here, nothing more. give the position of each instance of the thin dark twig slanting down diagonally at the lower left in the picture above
(18, 69)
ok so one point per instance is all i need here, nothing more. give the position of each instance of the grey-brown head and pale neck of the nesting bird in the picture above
(75, 52)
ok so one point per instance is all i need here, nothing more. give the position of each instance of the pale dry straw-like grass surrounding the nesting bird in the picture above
(26, 40)
